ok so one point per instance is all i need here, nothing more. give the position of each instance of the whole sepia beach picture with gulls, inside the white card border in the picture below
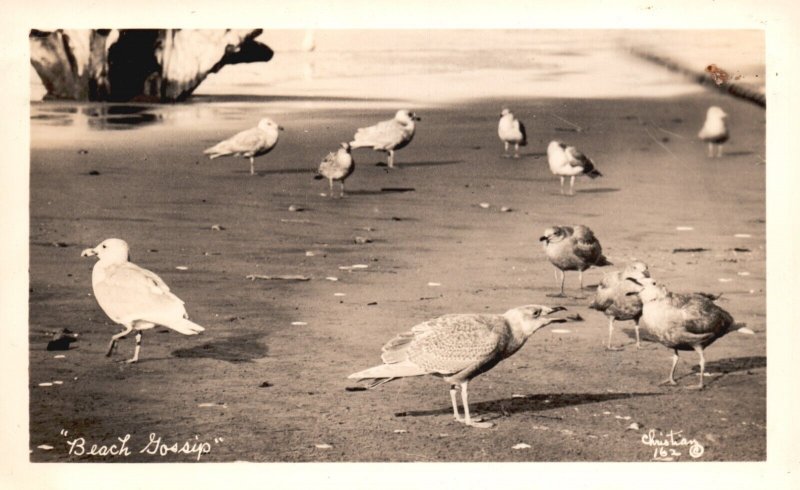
(317, 244)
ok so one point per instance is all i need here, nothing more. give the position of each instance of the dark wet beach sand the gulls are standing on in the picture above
(154, 189)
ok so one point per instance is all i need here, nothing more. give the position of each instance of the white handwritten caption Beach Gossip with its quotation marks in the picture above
(155, 446)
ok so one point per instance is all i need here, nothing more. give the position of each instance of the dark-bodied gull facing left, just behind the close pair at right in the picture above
(572, 249)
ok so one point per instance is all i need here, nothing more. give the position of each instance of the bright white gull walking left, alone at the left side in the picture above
(134, 297)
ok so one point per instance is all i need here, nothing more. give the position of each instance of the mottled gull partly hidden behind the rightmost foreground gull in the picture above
(612, 298)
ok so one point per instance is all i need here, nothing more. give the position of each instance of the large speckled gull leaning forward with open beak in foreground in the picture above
(457, 348)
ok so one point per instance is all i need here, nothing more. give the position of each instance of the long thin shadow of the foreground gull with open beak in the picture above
(491, 409)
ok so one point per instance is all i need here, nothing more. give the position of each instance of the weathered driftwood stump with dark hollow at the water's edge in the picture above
(150, 65)
